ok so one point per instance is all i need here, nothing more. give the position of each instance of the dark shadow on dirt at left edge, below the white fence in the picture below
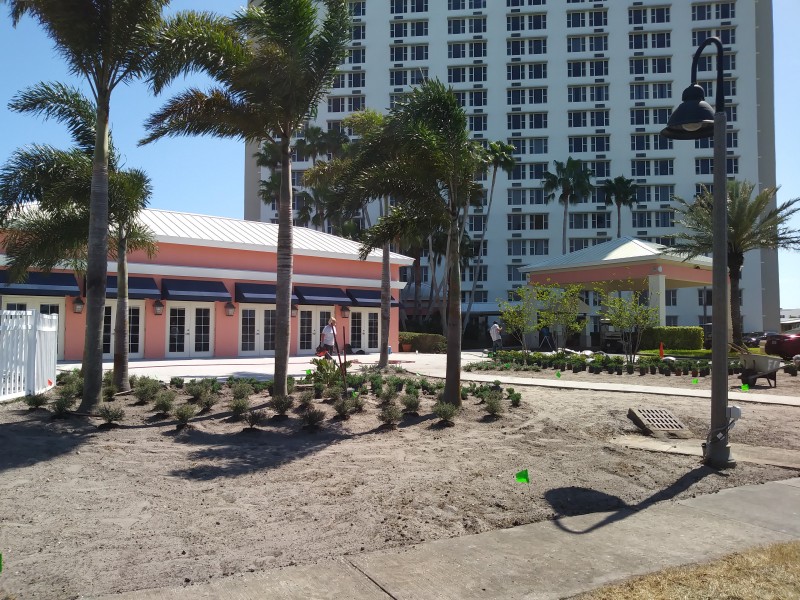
(40, 438)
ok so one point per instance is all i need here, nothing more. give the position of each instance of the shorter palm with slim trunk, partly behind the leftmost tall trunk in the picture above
(59, 181)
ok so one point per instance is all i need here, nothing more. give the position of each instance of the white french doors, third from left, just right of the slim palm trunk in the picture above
(190, 330)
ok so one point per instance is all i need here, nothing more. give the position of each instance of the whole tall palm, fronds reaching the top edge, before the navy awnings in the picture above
(273, 63)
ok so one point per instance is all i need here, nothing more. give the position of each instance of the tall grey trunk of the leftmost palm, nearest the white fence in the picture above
(97, 262)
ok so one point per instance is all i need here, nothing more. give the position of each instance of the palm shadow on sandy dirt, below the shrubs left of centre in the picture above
(250, 450)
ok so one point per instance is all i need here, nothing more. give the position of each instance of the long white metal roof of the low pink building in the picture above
(224, 232)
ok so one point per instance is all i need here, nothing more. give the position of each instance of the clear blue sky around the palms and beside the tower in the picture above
(206, 175)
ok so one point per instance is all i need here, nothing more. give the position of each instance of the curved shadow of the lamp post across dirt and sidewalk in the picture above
(572, 501)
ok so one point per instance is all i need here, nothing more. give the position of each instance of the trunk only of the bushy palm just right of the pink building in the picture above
(452, 387)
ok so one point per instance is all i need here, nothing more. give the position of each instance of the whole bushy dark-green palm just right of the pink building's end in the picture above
(424, 157)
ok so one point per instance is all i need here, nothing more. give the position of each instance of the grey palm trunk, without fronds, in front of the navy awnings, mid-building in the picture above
(283, 295)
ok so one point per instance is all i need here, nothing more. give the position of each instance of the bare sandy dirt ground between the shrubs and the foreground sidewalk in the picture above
(87, 511)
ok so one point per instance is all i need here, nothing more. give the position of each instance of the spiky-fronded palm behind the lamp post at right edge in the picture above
(753, 223)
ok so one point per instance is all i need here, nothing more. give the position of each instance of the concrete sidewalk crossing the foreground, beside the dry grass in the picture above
(550, 559)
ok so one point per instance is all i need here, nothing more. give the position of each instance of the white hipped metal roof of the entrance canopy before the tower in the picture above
(618, 250)
